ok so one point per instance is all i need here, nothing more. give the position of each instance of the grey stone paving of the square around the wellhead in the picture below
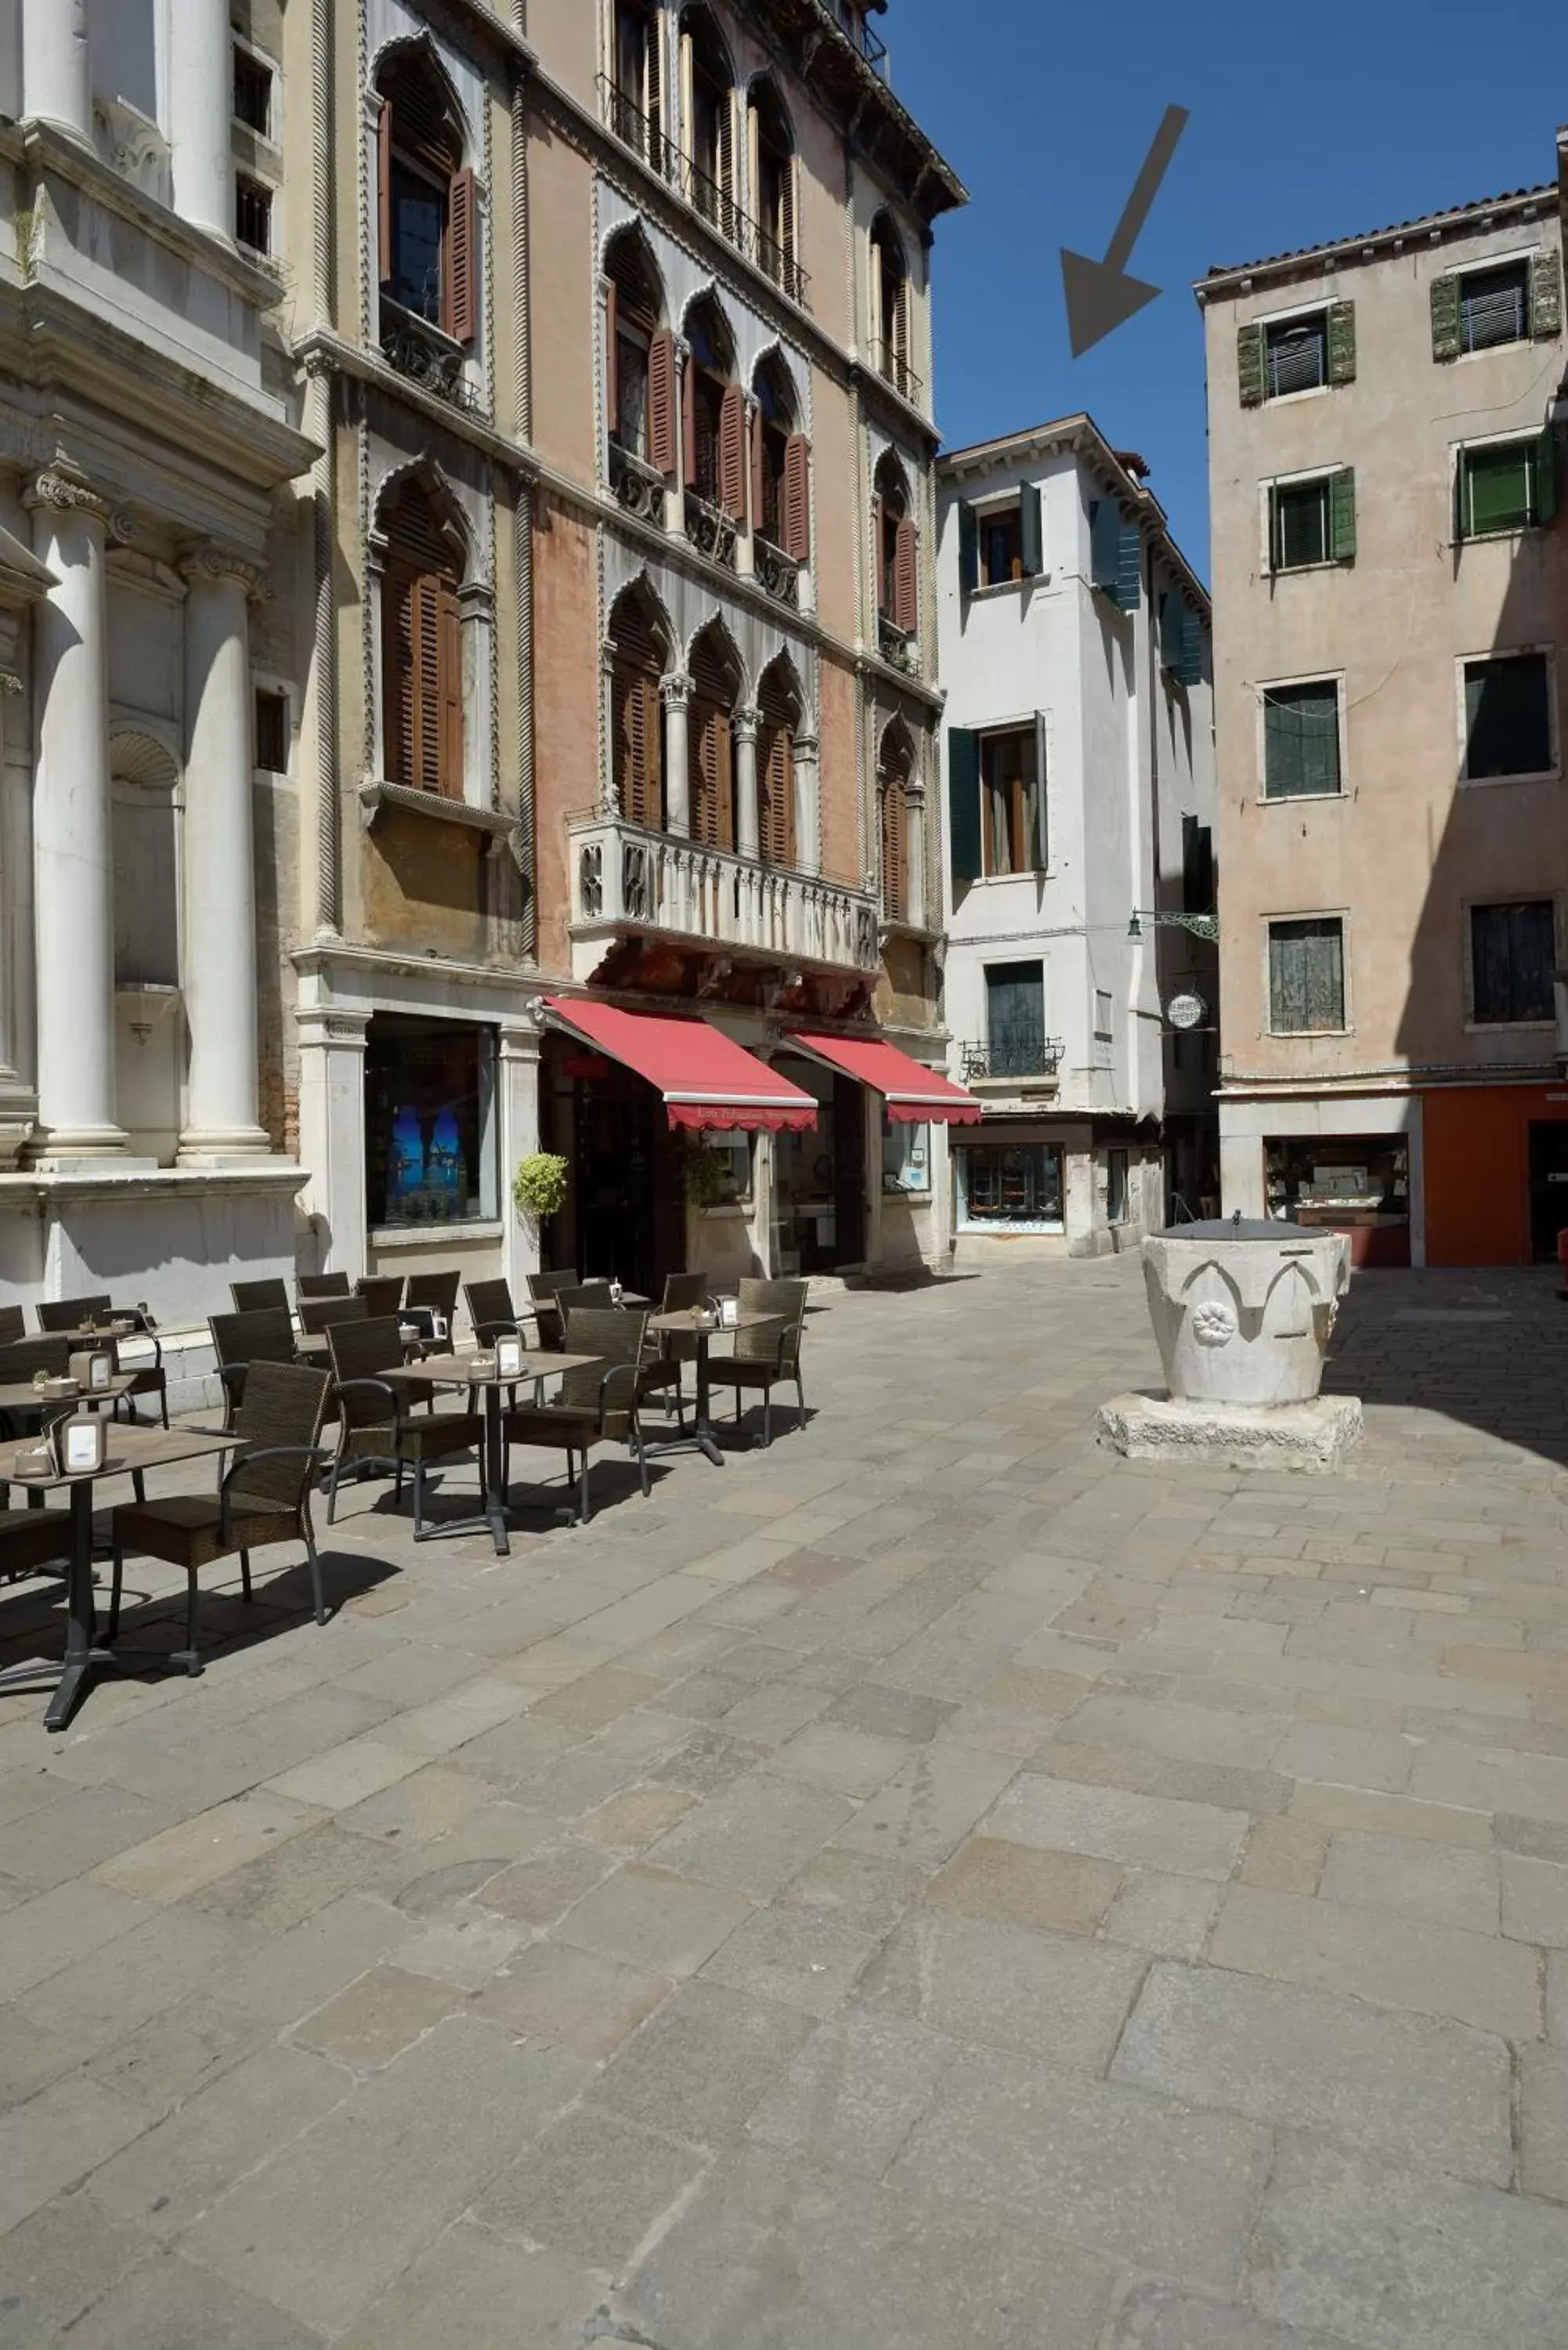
(927, 1886)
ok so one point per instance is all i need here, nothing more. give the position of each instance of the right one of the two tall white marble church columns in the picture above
(220, 866)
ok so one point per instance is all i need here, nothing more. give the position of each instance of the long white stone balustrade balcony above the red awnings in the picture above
(657, 887)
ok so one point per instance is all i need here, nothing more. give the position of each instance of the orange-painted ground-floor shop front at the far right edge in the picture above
(1496, 1174)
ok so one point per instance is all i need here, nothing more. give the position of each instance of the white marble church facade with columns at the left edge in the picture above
(147, 434)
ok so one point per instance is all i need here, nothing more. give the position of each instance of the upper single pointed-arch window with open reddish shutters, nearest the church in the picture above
(427, 201)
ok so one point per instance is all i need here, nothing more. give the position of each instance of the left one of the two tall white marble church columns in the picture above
(74, 828)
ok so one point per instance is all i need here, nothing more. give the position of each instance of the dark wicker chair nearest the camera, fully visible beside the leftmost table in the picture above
(264, 1496)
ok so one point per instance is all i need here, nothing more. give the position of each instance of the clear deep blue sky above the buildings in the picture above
(1308, 123)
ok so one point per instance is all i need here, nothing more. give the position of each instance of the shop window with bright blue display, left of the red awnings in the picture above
(429, 1122)
